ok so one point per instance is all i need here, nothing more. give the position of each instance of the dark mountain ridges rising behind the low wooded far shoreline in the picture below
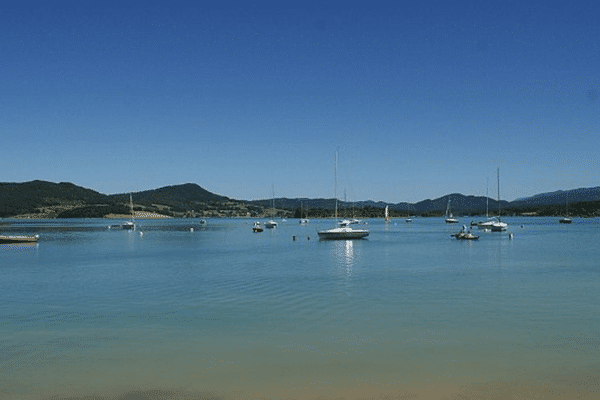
(40, 197)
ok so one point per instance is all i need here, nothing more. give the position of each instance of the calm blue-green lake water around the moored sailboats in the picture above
(222, 312)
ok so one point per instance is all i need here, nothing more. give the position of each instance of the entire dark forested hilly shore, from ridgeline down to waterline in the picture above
(41, 199)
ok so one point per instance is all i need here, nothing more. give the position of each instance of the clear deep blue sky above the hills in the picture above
(421, 99)
